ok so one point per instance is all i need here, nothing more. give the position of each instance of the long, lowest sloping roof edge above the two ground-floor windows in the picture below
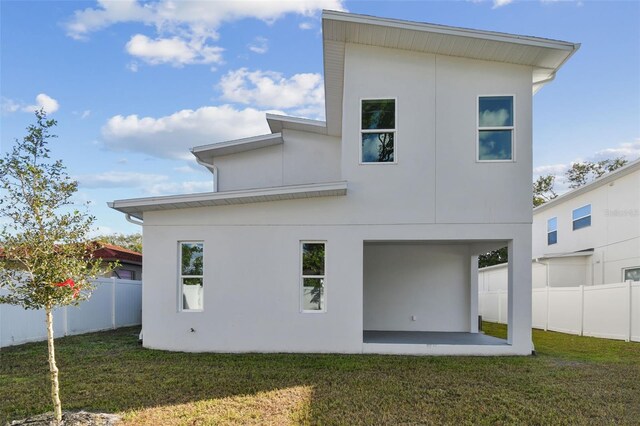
(136, 207)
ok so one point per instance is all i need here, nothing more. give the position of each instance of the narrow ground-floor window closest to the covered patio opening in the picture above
(313, 277)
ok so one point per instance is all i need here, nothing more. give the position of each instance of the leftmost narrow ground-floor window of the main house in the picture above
(191, 275)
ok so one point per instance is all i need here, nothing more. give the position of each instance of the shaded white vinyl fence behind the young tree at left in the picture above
(114, 303)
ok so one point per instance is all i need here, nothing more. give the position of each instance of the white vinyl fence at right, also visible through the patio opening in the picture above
(611, 311)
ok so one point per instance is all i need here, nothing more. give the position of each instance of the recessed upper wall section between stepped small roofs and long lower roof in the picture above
(303, 158)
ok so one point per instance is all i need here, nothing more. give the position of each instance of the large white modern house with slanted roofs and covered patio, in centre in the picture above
(361, 233)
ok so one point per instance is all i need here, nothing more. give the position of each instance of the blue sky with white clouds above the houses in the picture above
(134, 85)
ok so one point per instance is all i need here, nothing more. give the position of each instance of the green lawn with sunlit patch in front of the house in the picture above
(572, 380)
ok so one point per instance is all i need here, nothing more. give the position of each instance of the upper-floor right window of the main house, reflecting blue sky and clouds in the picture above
(495, 128)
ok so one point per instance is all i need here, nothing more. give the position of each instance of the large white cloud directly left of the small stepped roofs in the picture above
(171, 136)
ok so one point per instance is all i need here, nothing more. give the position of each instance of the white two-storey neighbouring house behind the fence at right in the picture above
(588, 236)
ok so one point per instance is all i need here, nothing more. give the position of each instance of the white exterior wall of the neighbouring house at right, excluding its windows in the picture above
(614, 233)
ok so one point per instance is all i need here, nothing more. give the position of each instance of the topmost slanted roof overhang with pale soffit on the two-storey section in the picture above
(545, 56)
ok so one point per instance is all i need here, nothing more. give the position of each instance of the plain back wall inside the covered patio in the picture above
(425, 281)
